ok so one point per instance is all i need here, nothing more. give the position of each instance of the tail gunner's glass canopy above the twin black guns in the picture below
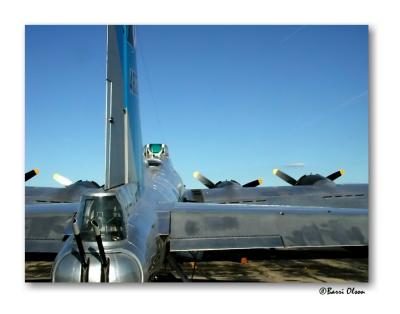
(107, 212)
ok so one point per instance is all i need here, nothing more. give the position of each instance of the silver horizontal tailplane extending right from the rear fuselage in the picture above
(202, 227)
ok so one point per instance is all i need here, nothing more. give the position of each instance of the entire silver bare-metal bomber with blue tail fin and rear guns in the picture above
(143, 217)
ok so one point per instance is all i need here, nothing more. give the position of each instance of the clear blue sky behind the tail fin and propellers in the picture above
(231, 101)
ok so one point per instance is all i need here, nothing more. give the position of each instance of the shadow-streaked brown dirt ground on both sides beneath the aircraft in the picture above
(275, 270)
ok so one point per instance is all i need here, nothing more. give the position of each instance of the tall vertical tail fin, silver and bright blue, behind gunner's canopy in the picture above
(124, 158)
